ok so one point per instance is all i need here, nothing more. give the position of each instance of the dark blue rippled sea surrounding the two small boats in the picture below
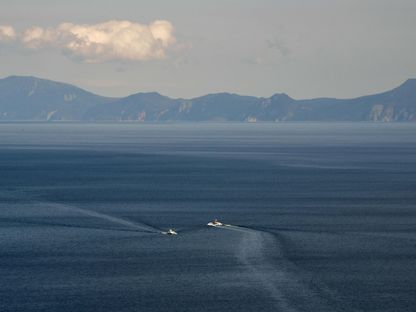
(323, 217)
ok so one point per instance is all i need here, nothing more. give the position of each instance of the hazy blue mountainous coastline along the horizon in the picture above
(35, 99)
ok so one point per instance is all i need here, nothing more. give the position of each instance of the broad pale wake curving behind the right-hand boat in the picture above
(267, 265)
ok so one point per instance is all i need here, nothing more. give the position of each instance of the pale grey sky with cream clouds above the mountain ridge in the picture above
(188, 48)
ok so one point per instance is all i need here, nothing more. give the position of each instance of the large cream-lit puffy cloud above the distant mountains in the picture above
(112, 40)
